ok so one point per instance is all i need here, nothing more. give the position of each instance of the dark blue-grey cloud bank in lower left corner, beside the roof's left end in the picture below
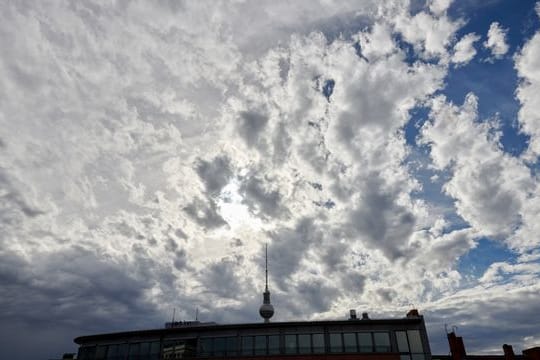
(67, 294)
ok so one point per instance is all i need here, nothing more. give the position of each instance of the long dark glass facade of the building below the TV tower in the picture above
(408, 343)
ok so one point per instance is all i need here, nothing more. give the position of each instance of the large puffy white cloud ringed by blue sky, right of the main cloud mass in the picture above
(491, 188)
